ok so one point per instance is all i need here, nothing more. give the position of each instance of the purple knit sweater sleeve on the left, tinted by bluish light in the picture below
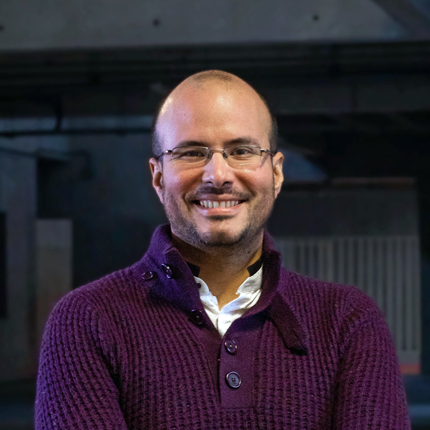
(75, 389)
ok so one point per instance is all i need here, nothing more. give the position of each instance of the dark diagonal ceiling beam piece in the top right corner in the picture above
(405, 13)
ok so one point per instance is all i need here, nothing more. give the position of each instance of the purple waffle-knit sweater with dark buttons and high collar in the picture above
(136, 350)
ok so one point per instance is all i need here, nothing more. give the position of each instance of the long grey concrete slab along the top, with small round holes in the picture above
(106, 23)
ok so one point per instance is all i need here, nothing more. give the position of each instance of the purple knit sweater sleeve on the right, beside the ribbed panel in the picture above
(369, 391)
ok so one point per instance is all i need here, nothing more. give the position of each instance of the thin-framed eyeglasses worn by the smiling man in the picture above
(235, 156)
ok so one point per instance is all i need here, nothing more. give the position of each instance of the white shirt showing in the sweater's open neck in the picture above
(249, 293)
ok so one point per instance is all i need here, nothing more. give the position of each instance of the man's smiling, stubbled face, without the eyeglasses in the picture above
(215, 116)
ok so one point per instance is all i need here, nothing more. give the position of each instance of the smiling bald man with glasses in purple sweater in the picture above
(207, 331)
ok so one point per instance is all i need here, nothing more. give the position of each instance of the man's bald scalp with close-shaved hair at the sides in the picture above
(201, 91)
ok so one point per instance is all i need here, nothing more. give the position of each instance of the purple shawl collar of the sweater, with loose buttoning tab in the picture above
(181, 290)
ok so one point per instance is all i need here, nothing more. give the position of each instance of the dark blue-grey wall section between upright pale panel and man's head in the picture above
(116, 211)
